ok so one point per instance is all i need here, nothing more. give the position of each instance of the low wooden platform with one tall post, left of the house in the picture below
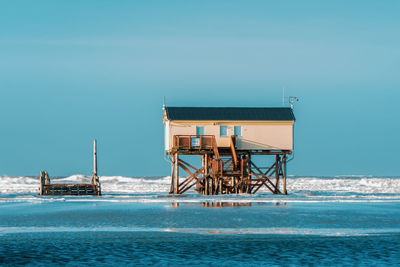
(46, 188)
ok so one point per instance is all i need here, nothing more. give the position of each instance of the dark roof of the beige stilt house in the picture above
(229, 114)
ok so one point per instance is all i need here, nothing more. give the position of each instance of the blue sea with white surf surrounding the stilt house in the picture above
(323, 221)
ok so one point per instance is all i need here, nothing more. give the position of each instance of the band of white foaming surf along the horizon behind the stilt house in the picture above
(137, 185)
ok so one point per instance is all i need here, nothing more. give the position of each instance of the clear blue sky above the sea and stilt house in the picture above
(73, 71)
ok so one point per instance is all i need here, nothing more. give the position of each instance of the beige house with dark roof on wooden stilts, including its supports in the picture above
(229, 142)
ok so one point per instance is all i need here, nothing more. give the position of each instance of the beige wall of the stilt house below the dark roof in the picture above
(266, 135)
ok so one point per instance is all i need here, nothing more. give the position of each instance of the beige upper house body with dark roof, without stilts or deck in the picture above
(254, 128)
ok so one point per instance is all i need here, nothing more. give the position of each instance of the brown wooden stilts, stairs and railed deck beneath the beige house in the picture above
(225, 170)
